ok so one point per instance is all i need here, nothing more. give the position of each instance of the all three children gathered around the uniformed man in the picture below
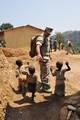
(27, 78)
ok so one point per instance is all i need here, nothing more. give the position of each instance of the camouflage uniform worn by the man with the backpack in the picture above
(45, 53)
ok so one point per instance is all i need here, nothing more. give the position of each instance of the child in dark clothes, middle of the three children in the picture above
(31, 79)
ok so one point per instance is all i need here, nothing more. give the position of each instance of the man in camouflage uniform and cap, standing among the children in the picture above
(43, 55)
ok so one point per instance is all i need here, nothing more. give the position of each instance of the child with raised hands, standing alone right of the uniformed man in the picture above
(60, 78)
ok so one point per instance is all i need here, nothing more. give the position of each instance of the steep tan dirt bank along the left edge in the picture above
(5, 90)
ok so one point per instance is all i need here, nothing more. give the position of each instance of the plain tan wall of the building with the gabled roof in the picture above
(20, 37)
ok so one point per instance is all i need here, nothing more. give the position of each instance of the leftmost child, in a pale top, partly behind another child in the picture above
(21, 74)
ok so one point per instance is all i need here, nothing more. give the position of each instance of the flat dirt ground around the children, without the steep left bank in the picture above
(46, 106)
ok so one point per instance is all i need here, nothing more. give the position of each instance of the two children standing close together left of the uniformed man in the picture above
(27, 79)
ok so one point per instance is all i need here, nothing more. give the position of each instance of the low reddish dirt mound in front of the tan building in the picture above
(10, 52)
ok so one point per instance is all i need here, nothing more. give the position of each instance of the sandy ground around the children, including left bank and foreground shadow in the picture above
(46, 106)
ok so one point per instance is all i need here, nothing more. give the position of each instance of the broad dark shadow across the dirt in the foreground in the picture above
(46, 110)
